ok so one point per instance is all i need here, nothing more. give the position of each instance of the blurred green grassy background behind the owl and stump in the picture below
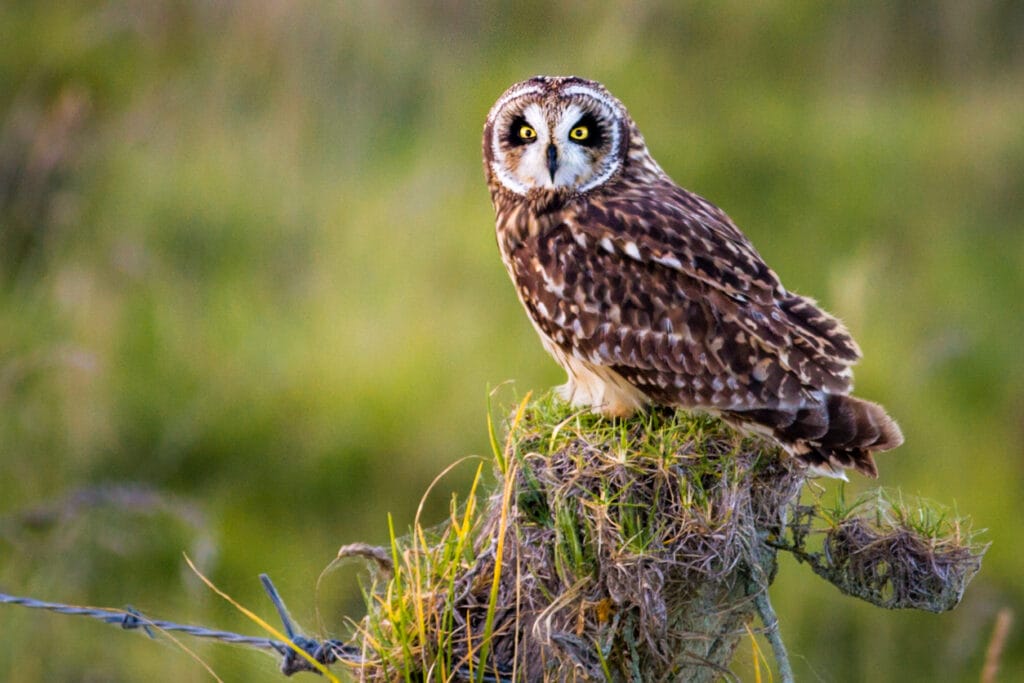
(251, 304)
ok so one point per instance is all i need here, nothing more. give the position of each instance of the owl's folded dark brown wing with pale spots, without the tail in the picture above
(661, 286)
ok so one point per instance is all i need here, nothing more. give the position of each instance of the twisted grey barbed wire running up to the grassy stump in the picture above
(324, 652)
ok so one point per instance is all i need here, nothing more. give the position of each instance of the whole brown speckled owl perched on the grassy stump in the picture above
(648, 294)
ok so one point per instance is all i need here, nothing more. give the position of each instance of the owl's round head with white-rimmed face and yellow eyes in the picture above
(556, 135)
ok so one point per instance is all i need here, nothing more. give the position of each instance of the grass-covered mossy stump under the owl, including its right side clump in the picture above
(636, 550)
